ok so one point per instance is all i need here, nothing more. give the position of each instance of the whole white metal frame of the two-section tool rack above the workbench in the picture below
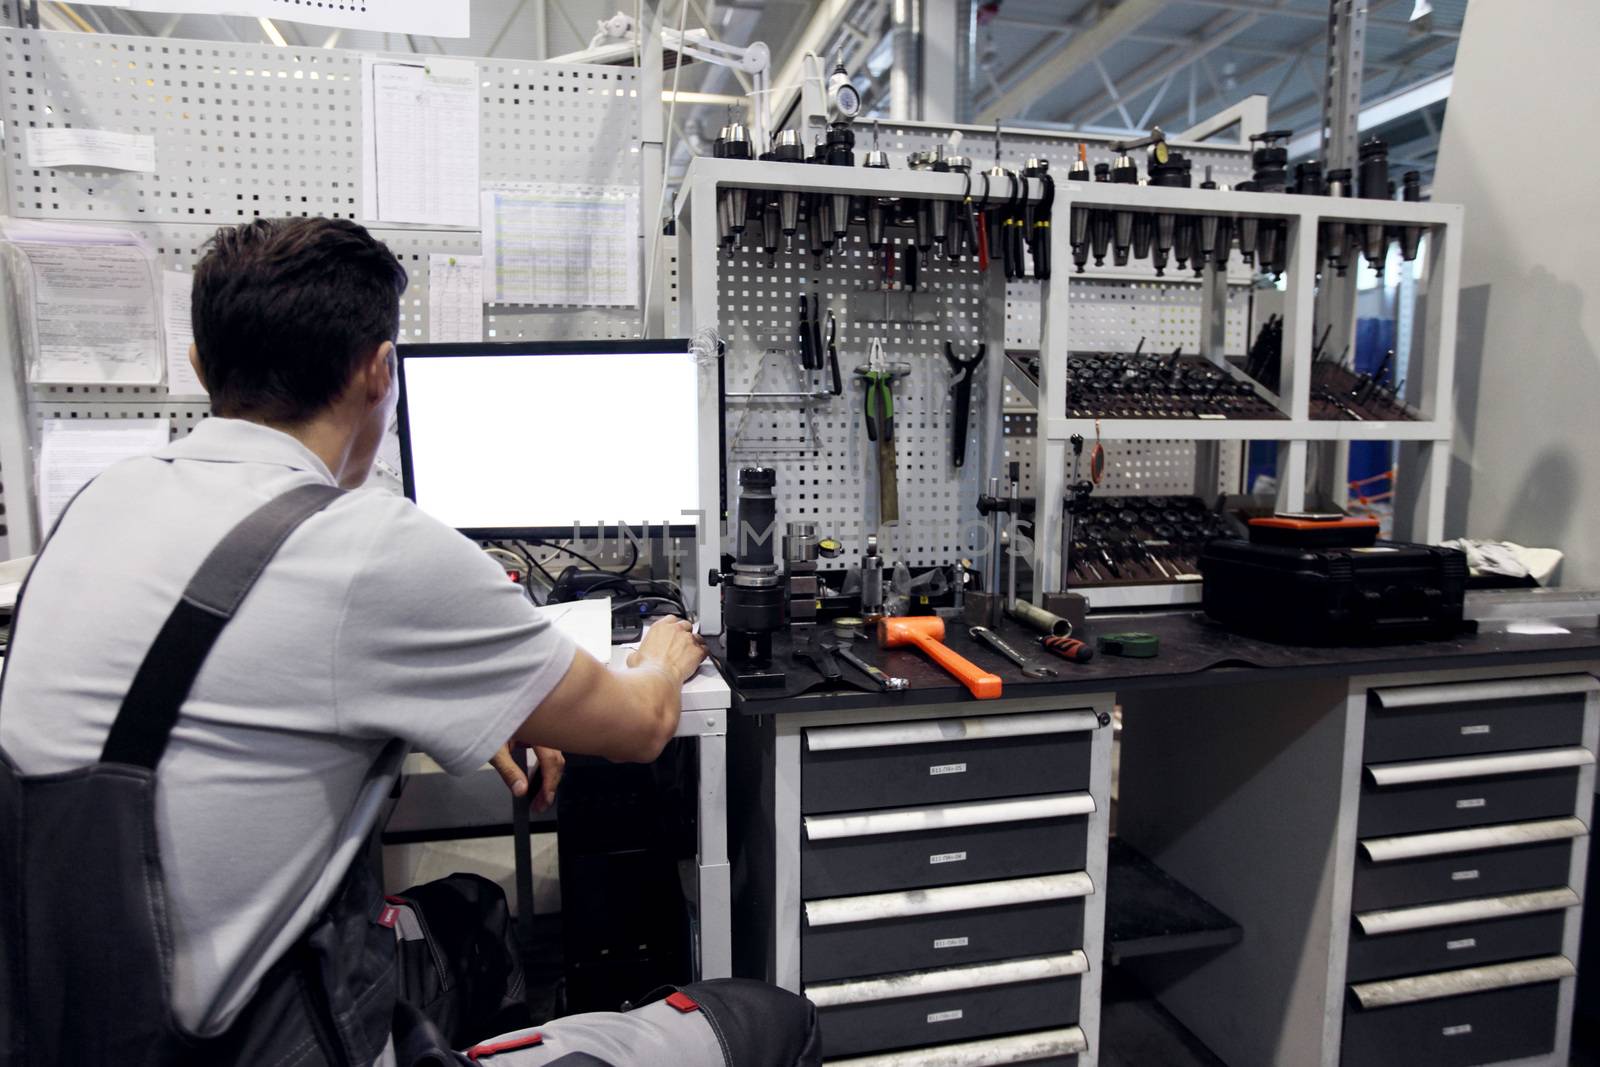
(1430, 393)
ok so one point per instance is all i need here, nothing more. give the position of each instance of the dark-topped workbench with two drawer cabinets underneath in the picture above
(1383, 850)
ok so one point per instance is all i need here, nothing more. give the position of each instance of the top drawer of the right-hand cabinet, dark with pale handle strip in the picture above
(1476, 717)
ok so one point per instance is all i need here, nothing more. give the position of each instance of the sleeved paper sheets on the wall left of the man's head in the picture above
(89, 305)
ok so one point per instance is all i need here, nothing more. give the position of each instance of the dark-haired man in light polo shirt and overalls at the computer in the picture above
(194, 759)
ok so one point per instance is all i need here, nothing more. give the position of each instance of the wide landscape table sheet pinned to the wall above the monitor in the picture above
(556, 244)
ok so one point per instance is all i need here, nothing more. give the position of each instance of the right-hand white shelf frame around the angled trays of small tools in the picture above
(1420, 513)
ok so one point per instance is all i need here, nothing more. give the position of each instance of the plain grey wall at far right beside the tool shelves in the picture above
(1519, 153)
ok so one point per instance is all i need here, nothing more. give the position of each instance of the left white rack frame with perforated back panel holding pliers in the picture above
(751, 305)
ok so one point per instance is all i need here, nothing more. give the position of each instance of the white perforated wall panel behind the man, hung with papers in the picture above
(250, 132)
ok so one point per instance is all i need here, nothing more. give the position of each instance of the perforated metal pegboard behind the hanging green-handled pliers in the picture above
(820, 449)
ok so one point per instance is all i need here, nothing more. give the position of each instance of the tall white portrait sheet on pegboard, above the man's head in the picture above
(420, 142)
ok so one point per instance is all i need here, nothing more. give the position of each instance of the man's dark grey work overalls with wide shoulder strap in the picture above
(87, 943)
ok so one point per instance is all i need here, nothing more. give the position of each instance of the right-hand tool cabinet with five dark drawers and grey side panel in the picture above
(1404, 850)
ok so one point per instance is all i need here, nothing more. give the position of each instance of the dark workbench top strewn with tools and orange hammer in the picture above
(1194, 652)
